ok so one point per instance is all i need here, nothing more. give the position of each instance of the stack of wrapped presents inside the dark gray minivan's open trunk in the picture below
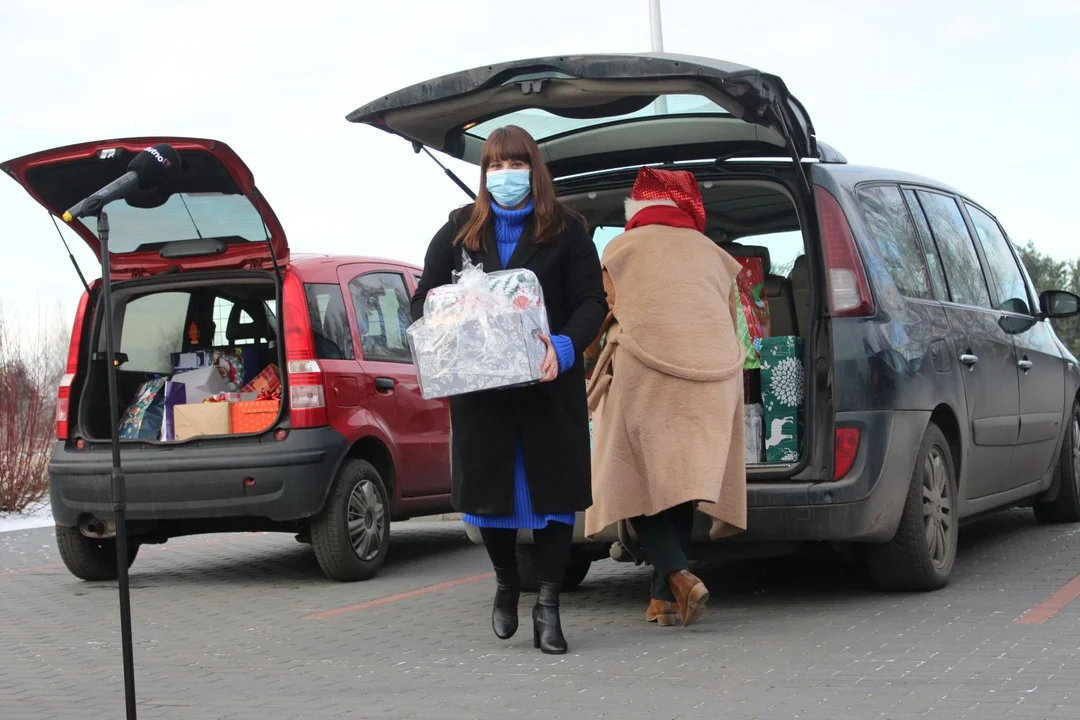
(774, 375)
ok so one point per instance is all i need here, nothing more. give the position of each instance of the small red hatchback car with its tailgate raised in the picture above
(336, 446)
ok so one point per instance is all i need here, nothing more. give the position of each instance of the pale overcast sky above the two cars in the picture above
(983, 96)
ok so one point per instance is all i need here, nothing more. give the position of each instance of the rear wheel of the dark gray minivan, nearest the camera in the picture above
(922, 555)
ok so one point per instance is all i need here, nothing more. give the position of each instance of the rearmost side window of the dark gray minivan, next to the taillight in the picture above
(896, 241)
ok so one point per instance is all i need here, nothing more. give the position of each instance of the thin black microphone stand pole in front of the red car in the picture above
(119, 485)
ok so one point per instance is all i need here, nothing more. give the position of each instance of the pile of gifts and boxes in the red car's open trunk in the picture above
(221, 391)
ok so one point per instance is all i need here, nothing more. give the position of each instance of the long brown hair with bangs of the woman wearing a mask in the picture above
(507, 144)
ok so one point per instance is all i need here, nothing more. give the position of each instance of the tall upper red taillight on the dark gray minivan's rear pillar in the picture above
(849, 293)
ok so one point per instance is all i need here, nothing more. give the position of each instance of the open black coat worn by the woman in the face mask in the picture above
(550, 419)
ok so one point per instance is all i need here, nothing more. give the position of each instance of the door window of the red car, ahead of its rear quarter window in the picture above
(382, 303)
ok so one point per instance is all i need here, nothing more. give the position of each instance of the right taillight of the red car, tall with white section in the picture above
(307, 396)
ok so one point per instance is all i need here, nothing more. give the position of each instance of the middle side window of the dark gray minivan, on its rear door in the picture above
(963, 270)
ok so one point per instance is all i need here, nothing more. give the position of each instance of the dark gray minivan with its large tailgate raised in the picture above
(936, 389)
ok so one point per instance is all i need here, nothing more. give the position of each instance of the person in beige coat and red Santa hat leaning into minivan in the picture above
(667, 390)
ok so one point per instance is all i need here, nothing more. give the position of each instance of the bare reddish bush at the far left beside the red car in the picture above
(32, 364)
